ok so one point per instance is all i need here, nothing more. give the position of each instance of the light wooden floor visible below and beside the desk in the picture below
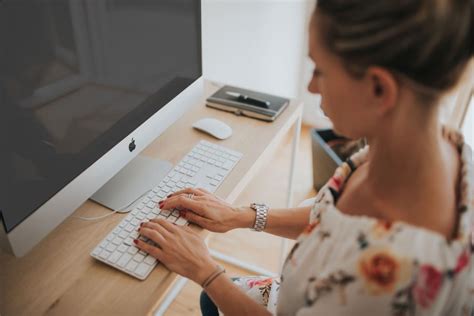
(269, 186)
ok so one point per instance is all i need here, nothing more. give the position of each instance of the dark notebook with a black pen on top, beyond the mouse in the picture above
(249, 103)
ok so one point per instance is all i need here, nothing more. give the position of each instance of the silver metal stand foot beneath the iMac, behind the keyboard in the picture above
(134, 180)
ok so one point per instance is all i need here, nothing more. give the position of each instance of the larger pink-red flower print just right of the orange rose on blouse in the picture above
(427, 285)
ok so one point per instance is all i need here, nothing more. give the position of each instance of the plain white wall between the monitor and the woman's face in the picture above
(255, 44)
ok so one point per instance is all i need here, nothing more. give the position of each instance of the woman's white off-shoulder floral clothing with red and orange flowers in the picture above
(357, 265)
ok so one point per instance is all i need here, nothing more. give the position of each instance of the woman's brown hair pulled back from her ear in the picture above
(424, 43)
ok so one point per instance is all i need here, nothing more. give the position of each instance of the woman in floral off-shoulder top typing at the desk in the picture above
(390, 233)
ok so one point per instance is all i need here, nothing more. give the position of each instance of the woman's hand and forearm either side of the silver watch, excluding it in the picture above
(214, 214)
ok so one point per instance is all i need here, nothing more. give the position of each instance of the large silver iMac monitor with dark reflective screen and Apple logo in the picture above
(85, 85)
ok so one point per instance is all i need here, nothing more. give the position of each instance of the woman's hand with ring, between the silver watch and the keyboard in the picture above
(209, 211)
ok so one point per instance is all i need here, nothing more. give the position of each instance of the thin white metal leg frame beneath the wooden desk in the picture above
(178, 286)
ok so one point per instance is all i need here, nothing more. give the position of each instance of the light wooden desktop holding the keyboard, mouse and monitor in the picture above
(58, 277)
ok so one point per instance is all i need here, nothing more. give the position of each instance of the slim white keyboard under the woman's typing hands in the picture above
(205, 166)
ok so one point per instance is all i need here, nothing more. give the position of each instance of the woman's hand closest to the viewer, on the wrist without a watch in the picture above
(180, 249)
